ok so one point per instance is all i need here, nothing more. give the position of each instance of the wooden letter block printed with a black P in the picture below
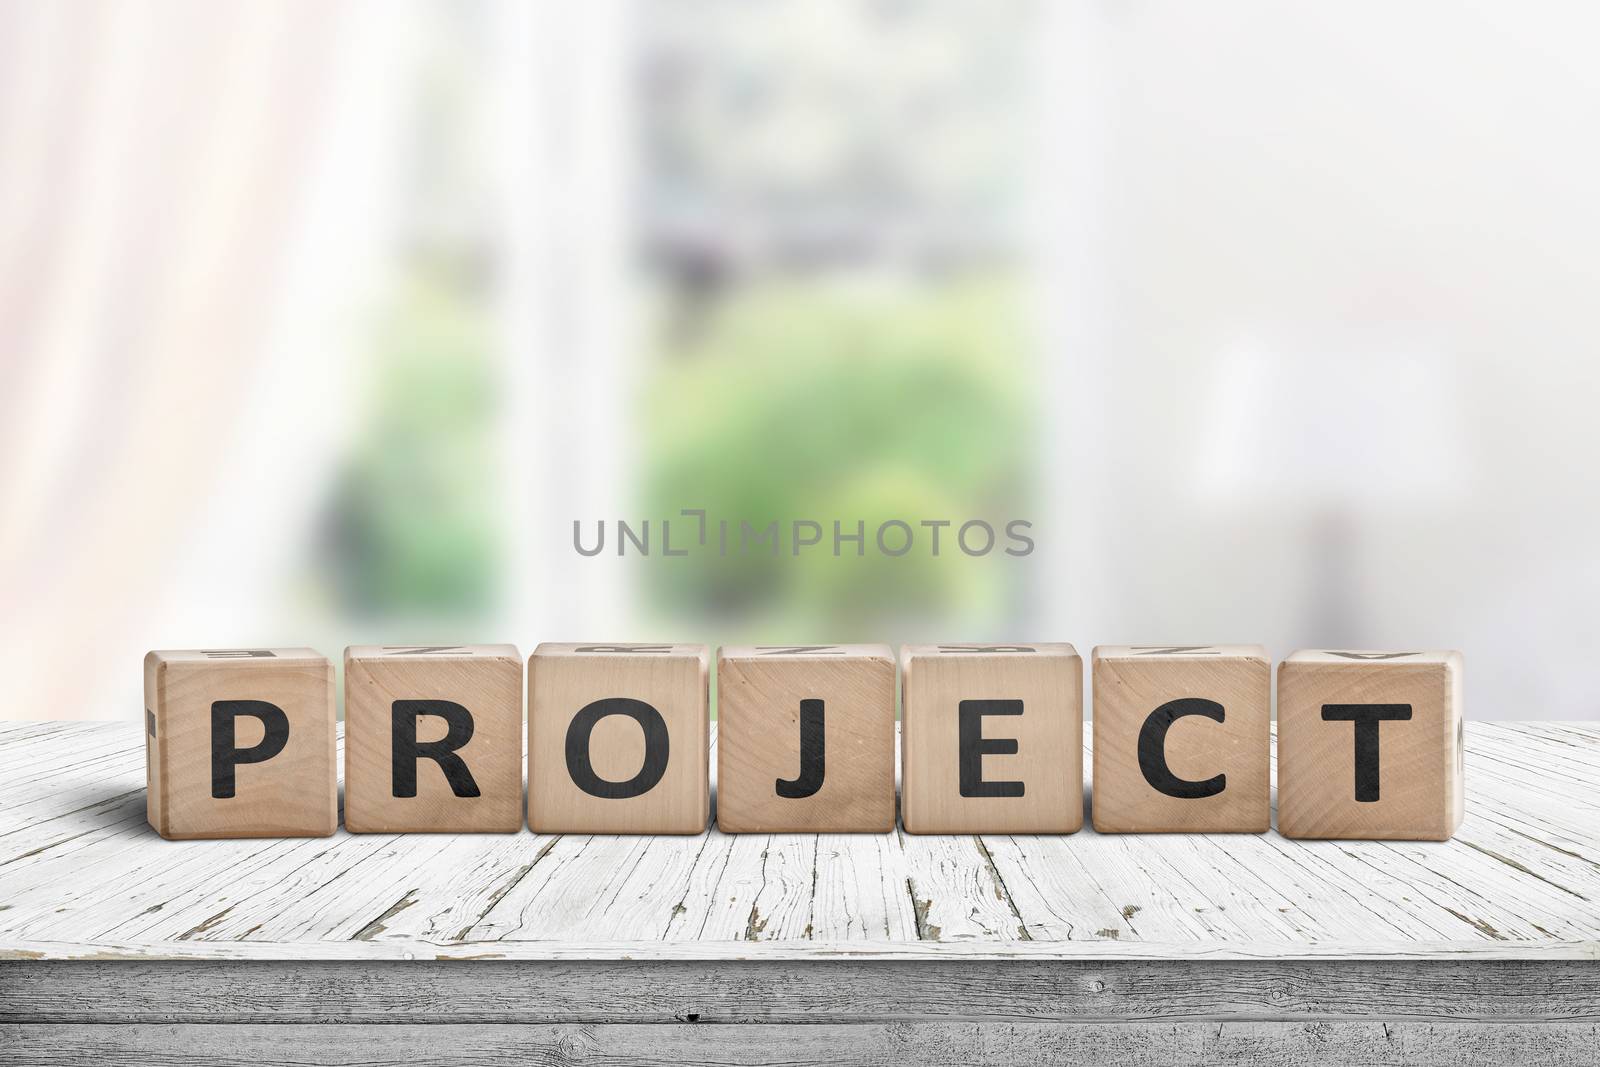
(241, 743)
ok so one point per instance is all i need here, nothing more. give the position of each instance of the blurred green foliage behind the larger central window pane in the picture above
(828, 401)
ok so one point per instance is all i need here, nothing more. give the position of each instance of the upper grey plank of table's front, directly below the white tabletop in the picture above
(841, 991)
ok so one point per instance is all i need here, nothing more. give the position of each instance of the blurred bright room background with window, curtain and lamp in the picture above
(324, 322)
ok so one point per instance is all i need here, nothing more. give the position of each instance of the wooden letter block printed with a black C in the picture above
(1183, 740)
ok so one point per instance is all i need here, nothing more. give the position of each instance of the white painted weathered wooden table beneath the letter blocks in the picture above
(121, 948)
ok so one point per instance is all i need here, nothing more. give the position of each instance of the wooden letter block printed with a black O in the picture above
(618, 740)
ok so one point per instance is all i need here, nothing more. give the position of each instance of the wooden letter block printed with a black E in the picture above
(993, 740)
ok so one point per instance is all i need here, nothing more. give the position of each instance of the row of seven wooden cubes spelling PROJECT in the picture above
(242, 743)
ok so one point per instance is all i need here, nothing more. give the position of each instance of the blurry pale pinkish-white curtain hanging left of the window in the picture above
(151, 161)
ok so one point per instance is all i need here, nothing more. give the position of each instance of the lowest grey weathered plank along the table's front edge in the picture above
(894, 1044)
